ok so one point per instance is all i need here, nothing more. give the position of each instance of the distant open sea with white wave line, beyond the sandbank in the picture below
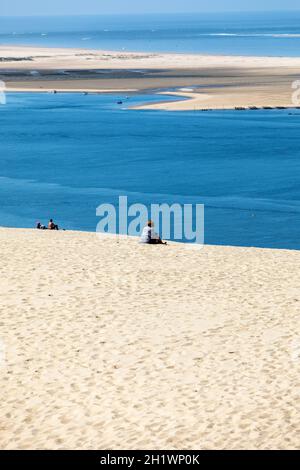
(271, 34)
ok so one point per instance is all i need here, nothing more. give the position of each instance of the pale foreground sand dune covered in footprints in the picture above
(119, 345)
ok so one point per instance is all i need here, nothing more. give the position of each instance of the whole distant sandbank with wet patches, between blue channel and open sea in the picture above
(212, 82)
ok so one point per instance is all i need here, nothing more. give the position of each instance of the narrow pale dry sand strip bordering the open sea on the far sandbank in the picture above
(64, 58)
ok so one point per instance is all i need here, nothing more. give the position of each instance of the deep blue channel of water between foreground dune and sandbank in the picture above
(63, 155)
